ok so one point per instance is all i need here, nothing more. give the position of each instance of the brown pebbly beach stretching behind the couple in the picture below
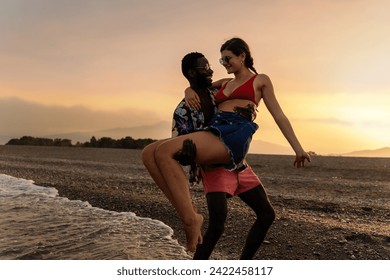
(336, 208)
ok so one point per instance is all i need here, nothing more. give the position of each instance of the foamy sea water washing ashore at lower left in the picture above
(36, 223)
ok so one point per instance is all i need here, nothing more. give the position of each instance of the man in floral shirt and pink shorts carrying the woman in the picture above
(219, 183)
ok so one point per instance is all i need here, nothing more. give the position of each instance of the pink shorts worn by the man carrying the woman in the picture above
(231, 182)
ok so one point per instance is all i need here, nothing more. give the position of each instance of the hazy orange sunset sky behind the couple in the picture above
(68, 65)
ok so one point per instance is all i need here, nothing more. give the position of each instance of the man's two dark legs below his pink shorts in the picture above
(256, 199)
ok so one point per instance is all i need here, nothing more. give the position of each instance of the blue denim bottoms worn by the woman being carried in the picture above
(235, 132)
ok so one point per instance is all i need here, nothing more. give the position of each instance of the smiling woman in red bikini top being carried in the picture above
(226, 140)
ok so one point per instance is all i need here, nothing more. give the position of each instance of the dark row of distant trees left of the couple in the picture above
(104, 142)
